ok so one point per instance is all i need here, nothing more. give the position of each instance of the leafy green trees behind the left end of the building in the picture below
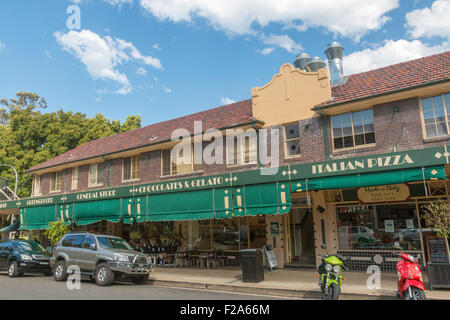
(29, 137)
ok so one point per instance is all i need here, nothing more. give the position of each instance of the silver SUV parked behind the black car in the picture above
(100, 257)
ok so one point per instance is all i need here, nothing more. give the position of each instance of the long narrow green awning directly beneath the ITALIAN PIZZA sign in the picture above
(370, 179)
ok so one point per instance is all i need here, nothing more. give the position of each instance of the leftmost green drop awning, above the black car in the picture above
(37, 218)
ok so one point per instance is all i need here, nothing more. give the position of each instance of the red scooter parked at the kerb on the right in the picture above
(410, 282)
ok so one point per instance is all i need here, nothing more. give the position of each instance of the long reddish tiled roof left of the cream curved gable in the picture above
(217, 118)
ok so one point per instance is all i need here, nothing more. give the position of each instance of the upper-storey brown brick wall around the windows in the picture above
(401, 129)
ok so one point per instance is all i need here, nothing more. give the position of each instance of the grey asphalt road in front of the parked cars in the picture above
(31, 287)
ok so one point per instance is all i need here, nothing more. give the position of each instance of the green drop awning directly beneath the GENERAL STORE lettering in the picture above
(94, 211)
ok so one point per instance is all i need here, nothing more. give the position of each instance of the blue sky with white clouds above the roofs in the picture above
(162, 59)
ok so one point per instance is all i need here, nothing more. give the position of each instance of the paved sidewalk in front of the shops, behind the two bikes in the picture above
(293, 283)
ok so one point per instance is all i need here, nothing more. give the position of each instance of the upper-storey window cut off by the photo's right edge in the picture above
(436, 115)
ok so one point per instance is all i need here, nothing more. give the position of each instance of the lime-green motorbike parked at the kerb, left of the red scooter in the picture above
(330, 275)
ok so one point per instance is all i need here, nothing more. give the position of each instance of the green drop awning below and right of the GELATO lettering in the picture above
(267, 199)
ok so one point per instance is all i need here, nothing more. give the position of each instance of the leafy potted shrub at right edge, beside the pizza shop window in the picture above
(437, 217)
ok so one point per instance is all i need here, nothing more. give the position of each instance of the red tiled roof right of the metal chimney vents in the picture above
(391, 78)
